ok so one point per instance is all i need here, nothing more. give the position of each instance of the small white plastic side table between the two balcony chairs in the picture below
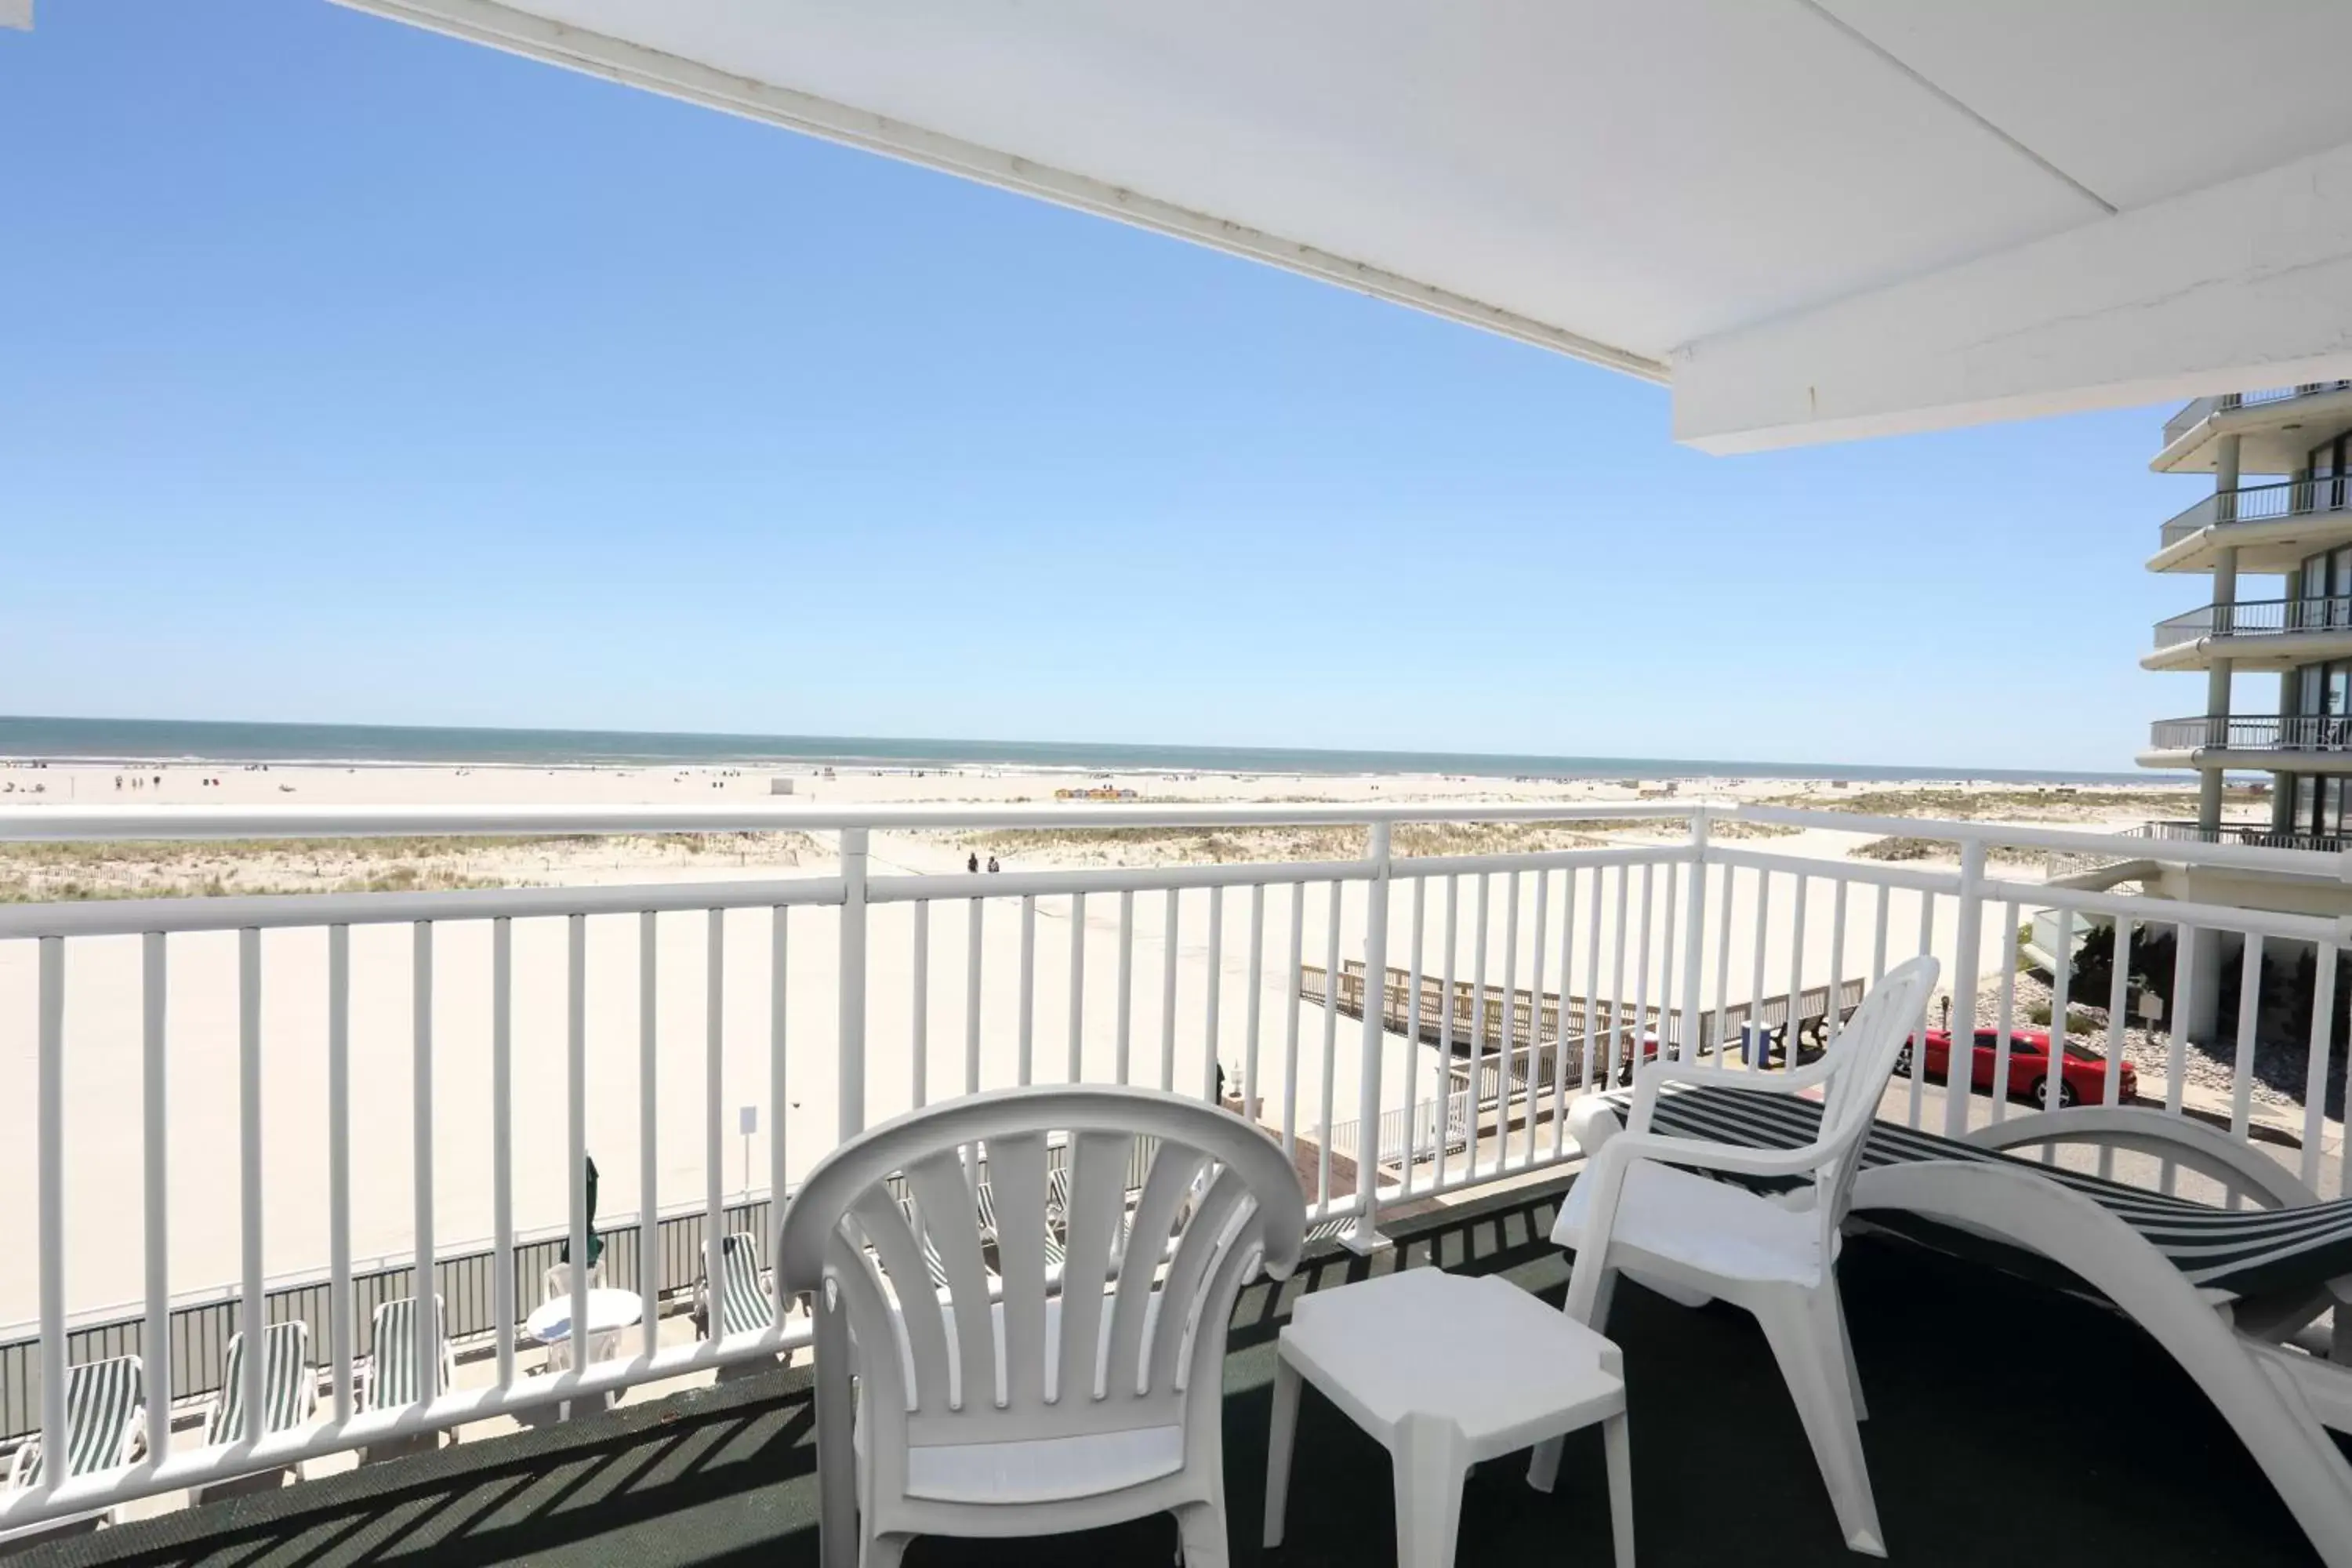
(1448, 1369)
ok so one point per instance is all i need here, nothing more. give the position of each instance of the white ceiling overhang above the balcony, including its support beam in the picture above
(1810, 217)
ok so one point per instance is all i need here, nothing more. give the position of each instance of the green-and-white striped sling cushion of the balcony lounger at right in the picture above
(2247, 1252)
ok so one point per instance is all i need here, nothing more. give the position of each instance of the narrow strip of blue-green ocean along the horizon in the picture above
(396, 744)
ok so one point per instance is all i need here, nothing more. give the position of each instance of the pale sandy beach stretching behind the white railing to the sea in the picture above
(958, 1047)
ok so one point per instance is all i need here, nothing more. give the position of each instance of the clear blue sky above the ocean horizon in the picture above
(356, 375)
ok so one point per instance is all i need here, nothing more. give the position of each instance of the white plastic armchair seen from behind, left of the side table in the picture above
(1083, 1395)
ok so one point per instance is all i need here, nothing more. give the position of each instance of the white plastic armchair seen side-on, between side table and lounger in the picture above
(1643, 1209)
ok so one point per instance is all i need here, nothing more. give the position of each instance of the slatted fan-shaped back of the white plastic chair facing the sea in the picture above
(1104, 1348)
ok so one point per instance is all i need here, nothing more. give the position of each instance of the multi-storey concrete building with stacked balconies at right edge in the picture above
(2278, 516)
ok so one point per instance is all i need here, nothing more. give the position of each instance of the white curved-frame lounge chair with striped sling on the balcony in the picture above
(2231, 1294)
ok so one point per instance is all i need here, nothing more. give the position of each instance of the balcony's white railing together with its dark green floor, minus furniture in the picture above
(347, 1094)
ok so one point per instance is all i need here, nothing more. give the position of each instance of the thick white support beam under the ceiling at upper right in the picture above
(2245, 283)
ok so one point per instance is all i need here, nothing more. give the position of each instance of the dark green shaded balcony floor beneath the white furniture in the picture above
(2010, 1426)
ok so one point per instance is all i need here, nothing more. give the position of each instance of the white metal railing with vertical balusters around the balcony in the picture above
(363, 1078)
